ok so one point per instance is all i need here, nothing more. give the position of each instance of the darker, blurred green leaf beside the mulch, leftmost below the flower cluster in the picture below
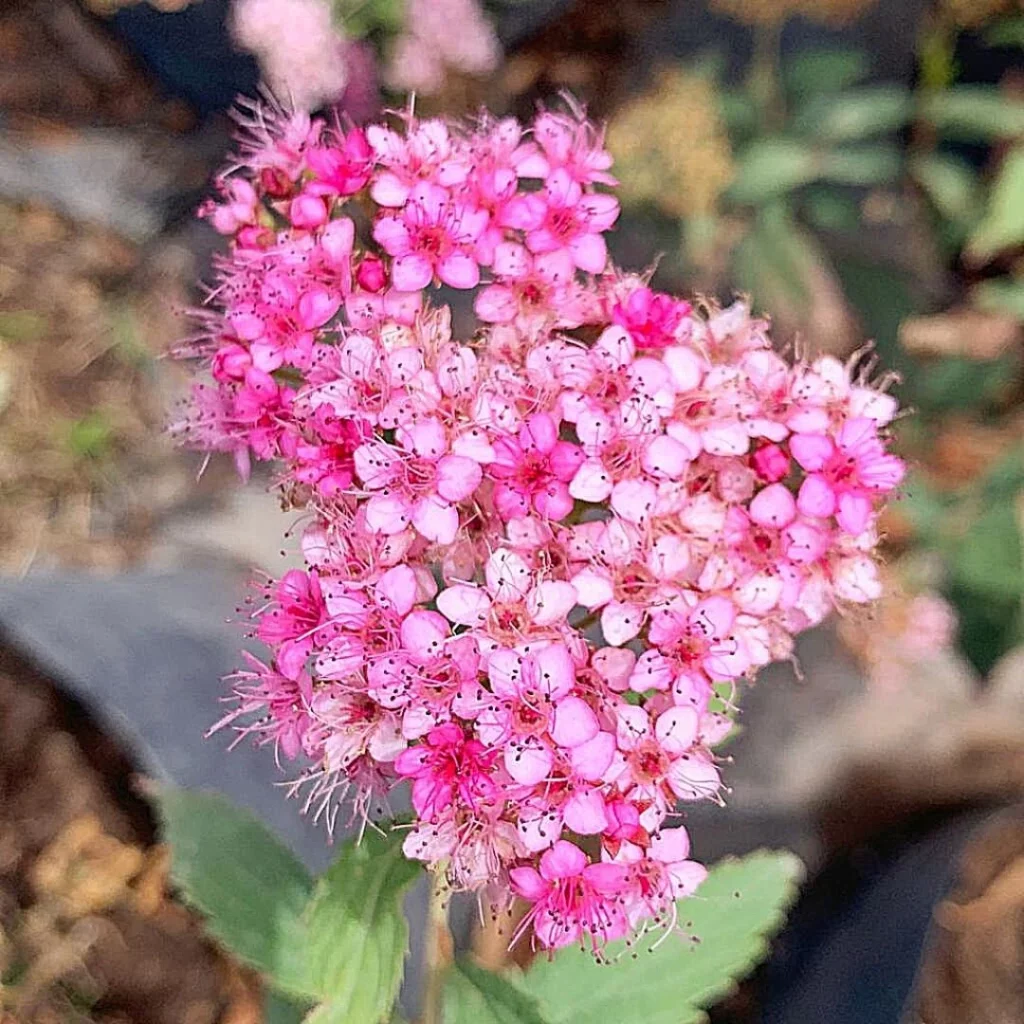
(249, 886)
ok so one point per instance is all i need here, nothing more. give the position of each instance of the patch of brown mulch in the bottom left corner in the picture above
(89, 931)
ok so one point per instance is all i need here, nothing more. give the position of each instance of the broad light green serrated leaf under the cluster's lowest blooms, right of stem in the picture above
(730, 920)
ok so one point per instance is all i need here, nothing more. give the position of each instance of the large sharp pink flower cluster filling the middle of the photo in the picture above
(539, 560)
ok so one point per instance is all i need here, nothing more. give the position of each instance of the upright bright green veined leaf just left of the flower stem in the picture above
(358, 932)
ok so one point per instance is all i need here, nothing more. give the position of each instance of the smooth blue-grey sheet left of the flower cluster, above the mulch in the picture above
(147, 655)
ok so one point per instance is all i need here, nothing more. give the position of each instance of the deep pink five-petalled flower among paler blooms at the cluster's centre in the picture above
(533, 471)
